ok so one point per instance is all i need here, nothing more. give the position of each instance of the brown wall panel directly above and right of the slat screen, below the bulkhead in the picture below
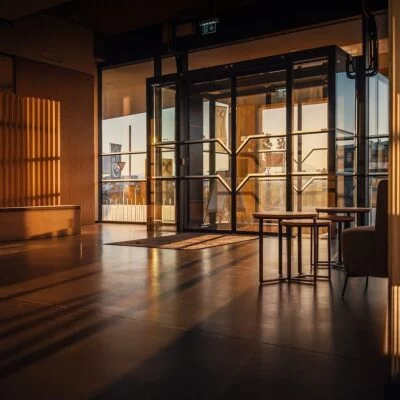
(74, 90)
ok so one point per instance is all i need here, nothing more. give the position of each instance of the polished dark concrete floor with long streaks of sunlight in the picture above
(80, 319)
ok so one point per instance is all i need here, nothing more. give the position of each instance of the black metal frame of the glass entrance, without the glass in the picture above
(232, 72)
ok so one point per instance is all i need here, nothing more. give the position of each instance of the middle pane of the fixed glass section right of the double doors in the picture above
(310, 153)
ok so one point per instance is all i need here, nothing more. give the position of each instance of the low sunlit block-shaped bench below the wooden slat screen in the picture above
(20, 223)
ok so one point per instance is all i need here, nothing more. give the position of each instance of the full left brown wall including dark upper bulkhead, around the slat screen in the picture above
(54, 60)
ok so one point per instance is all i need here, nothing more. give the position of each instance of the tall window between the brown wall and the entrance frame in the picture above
(124, 131)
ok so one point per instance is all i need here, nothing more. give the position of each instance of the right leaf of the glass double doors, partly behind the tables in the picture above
(261, 130)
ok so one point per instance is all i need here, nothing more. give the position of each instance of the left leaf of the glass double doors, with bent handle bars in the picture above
(207, 149)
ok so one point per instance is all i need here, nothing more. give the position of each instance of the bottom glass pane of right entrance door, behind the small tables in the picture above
(259, 195)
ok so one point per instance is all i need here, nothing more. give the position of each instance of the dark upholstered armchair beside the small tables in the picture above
(365, 248)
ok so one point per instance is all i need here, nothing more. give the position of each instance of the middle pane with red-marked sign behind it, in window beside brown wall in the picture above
(124, 166)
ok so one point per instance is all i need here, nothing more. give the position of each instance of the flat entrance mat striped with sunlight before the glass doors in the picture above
(187, 241)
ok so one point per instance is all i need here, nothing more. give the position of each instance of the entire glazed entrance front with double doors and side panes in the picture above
(234, 142)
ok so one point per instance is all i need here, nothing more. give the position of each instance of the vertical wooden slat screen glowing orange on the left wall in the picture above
(29, 151)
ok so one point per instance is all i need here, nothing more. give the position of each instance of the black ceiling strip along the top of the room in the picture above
(110, 17)
